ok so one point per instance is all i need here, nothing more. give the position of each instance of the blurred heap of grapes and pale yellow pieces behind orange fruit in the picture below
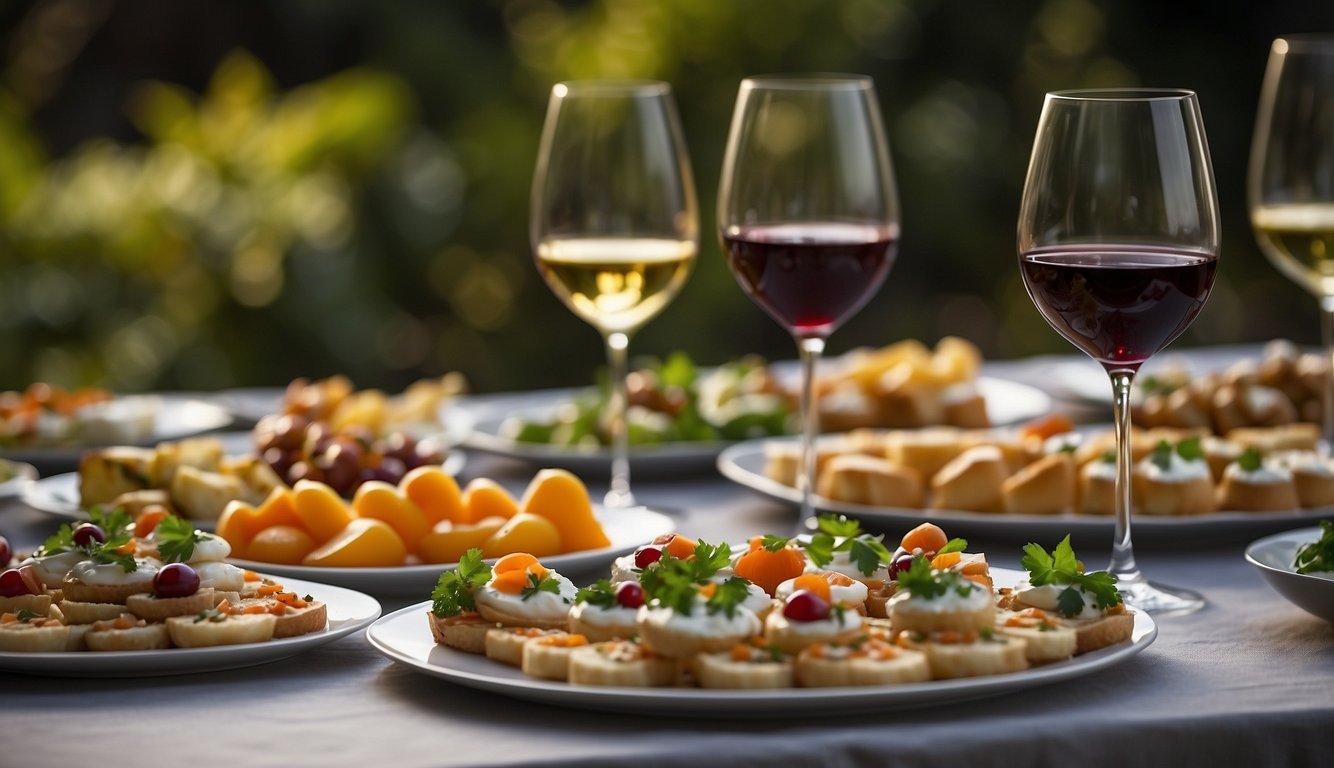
(344, 437)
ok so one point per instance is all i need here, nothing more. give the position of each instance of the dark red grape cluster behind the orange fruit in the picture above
(299, 449)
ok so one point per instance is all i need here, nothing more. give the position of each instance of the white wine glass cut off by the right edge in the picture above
(1292, 177)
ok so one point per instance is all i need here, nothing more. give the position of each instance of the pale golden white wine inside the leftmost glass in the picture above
(617, 285)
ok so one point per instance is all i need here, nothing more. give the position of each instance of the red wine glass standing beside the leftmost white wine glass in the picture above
(809, 214)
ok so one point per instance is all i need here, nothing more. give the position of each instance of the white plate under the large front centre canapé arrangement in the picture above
(405, 638)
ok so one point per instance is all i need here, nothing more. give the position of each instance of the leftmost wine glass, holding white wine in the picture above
(614, 222)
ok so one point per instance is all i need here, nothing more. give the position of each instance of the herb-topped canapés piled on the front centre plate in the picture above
(836, 609)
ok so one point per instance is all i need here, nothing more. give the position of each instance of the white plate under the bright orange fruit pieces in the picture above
(628, 530)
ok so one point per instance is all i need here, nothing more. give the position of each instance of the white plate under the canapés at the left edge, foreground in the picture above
(349, 613)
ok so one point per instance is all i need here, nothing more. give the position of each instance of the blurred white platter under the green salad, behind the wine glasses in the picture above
(1008, 403)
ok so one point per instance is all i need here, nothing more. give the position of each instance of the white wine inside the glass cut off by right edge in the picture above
(1300, 241)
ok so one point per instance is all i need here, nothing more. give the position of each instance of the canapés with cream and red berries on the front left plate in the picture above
(154, 582)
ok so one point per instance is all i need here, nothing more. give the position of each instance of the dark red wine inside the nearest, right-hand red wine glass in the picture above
(1119, 303)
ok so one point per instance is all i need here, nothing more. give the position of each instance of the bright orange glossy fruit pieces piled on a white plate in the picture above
(424, 519)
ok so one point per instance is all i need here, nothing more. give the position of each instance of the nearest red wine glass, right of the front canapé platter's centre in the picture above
(1119, 249)
